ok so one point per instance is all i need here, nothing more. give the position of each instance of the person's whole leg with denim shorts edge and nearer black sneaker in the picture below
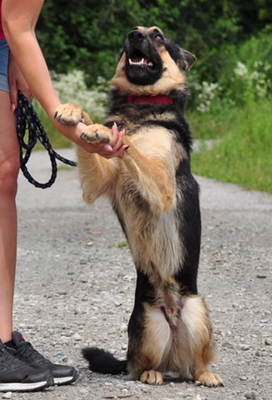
(15, 375)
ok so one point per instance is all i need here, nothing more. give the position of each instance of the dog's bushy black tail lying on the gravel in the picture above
(104, 362)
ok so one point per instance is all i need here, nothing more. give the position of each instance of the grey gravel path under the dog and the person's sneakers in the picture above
(75, 287)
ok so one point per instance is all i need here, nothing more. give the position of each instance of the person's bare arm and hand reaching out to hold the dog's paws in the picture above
(19, 19)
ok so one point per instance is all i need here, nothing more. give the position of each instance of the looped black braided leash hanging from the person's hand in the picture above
(27, 122)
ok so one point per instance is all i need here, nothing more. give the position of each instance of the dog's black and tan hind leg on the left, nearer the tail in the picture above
(149, 336)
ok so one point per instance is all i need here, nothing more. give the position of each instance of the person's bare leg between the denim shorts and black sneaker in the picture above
(9, 167)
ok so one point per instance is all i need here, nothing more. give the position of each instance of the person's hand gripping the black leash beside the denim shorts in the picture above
(17, 82)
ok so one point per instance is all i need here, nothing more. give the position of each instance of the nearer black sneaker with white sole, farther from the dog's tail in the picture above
(15, 375)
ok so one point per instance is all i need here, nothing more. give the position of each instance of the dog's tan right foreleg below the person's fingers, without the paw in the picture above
(155, 182)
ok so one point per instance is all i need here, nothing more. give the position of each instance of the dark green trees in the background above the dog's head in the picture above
(89, 35)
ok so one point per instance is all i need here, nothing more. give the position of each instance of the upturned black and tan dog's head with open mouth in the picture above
(150, 63)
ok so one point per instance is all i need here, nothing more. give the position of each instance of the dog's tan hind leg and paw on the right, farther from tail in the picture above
(196, 318)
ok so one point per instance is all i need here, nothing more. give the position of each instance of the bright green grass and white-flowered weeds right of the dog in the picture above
(236, 110)
